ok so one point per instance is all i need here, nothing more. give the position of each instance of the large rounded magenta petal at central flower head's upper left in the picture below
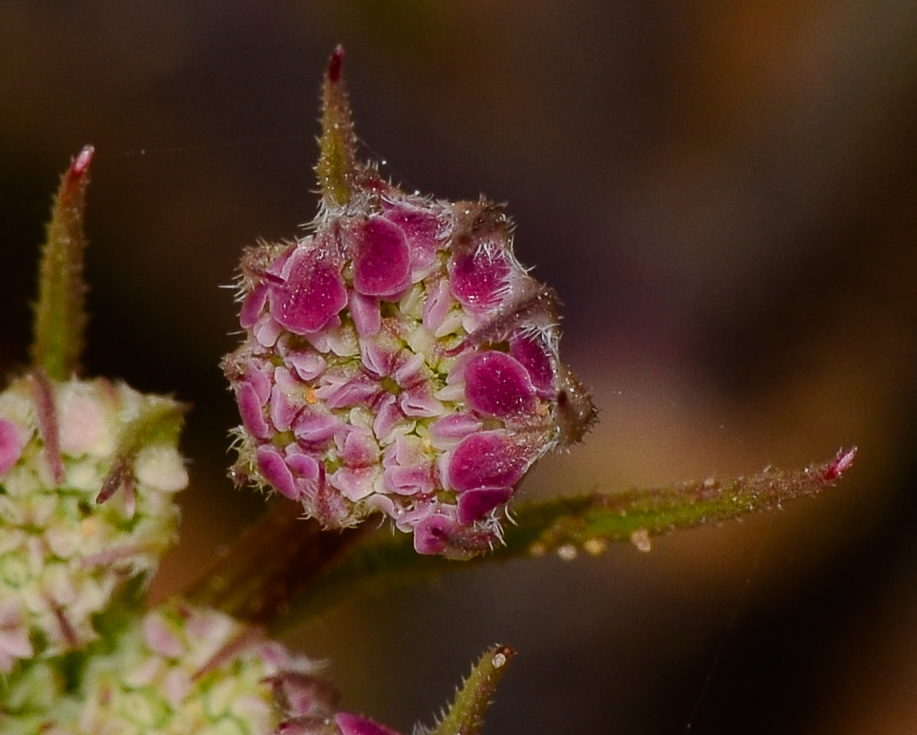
(311, 294)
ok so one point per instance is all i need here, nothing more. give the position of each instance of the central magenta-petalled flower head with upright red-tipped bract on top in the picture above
(398, 359)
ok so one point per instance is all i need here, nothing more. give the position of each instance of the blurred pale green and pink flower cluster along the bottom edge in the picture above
(178, 670)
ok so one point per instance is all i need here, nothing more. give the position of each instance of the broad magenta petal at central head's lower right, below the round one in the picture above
(487, 459)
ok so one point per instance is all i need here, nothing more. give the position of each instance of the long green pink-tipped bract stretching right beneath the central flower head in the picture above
(587, 521)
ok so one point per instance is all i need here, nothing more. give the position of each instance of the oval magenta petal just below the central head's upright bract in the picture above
(381, 261)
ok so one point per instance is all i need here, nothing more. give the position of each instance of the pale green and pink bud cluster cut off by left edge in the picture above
(88, 474)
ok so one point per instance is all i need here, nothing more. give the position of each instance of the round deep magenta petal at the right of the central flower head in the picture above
(497, 385)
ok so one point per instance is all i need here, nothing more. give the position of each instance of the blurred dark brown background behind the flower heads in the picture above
(725, 194)
